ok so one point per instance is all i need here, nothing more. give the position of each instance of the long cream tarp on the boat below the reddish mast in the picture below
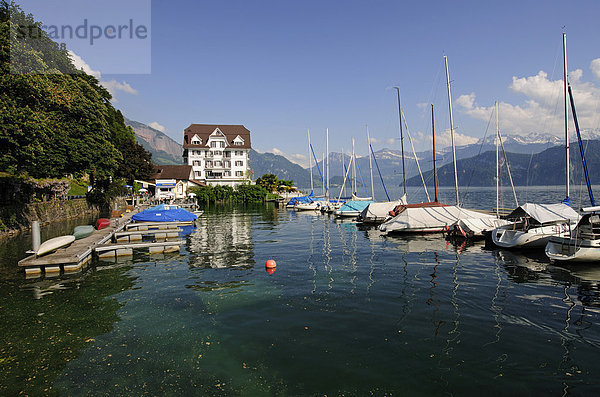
(428, 219)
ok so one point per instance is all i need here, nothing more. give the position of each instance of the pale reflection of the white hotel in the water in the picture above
(222, 240)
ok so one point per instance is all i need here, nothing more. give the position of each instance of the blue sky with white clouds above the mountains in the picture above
(283, 67)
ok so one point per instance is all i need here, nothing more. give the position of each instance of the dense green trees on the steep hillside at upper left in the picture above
(57, 120)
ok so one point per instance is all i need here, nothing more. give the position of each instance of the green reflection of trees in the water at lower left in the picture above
(40, 336)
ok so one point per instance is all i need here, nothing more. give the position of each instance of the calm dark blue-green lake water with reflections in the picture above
(347, 312)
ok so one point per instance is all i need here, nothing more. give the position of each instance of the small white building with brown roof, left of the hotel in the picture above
(173, 181)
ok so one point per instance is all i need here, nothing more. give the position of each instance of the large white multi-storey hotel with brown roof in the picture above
(218, 154)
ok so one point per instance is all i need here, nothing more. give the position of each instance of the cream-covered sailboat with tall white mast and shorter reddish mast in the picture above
(431, 216)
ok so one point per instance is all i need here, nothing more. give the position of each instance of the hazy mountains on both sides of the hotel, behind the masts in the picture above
(534, 160)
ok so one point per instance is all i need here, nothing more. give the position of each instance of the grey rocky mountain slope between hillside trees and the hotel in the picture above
(165, 151)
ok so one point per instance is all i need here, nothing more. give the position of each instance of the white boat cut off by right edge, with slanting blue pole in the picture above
(583, 242)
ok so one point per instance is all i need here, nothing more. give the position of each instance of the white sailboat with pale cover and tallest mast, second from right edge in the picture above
(533, 224)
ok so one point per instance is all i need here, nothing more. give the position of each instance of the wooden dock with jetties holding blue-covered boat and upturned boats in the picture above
(77, 255)
